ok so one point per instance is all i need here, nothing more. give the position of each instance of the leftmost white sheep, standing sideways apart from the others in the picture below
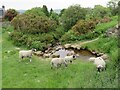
(26, 53)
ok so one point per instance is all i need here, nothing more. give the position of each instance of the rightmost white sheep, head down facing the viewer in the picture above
(100, 64)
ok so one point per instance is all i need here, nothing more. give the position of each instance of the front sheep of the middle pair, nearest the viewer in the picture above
(56, 62)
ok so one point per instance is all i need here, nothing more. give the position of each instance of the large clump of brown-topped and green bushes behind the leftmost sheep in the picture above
(34, 29)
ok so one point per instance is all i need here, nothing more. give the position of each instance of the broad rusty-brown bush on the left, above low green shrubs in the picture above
(33, 24)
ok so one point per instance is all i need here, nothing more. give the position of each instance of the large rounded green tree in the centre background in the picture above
(71, 15)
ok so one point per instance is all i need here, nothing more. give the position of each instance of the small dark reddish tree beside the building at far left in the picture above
(10, 14)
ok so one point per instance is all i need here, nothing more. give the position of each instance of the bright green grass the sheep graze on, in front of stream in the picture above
(38, 74)
